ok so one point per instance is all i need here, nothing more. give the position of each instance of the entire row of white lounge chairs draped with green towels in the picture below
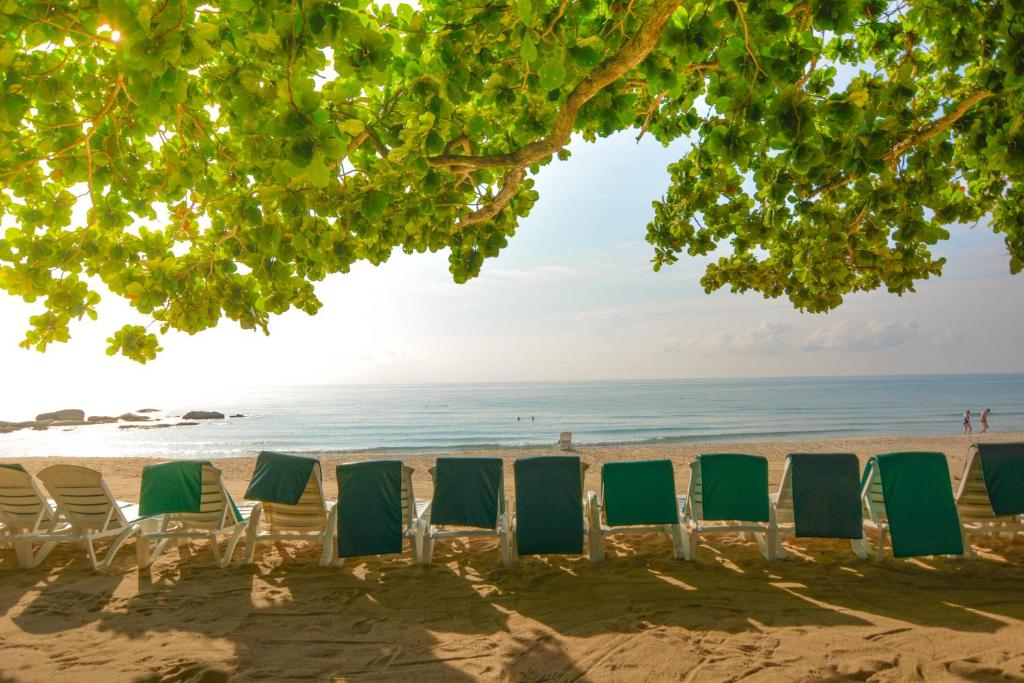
(907, 497)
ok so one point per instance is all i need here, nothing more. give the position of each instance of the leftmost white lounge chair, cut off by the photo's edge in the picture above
(28, 518)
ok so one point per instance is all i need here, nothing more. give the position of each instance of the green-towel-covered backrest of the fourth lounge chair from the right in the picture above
(730, 487)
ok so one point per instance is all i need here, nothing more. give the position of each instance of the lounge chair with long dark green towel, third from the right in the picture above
(820, 497)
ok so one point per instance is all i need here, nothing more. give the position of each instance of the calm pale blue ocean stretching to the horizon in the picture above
(422, 419)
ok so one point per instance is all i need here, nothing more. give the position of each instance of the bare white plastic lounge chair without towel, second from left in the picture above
(87, 508)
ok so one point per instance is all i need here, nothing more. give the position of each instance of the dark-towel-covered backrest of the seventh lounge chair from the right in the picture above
(468, 492)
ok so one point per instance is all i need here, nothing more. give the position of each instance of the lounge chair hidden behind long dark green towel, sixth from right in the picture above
(549, 506)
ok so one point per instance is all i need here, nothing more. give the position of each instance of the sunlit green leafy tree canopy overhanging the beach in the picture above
(268, 144)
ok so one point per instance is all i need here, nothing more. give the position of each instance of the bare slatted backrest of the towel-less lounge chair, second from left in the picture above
(83, 498)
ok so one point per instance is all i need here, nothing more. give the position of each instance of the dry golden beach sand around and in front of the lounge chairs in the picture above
(642, 616)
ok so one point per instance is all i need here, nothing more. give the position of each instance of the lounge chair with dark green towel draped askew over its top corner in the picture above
(290, 494)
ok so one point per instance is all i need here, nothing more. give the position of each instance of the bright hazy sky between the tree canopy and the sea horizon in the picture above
(574, 297)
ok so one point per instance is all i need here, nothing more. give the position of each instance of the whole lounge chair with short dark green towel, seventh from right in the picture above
(470, 494)
